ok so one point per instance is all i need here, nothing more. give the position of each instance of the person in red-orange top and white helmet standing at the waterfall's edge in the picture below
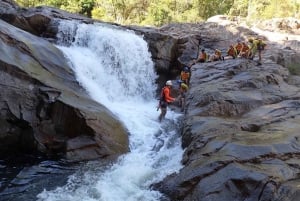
(165, 99)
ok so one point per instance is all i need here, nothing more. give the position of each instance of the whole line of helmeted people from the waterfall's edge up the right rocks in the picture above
(240, 49)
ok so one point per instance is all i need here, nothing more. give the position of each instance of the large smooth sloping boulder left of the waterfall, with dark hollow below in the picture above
(43, 108)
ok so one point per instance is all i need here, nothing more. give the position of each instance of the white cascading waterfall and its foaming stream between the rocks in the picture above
(115, 68)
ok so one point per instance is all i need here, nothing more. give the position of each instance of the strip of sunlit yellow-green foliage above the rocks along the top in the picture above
(159, 12)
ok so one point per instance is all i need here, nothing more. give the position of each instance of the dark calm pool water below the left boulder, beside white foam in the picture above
(22, 177)
